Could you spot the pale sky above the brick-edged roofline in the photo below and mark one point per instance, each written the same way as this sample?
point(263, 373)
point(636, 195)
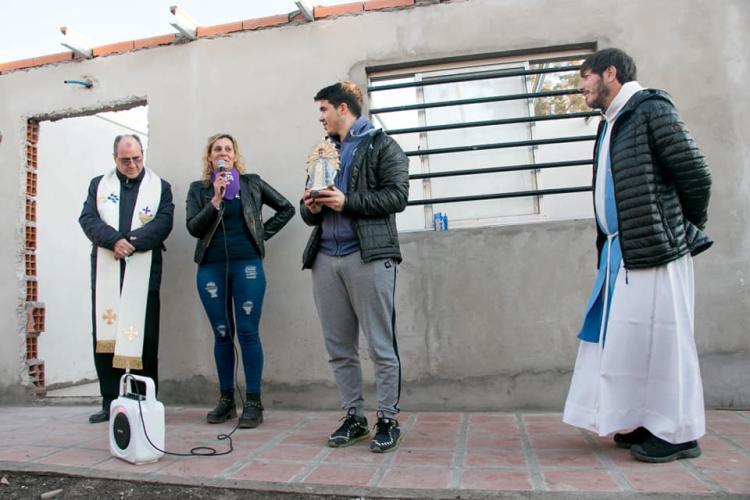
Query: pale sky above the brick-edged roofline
point(30, 28)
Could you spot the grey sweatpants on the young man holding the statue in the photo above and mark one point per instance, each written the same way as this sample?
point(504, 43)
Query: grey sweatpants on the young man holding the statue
point(351, 295)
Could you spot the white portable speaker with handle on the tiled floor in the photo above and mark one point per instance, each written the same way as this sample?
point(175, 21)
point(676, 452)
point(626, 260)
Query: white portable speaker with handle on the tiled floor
point(127, 440)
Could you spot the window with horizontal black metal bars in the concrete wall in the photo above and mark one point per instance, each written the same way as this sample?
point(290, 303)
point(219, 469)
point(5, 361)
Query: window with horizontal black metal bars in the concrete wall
point(490, 141)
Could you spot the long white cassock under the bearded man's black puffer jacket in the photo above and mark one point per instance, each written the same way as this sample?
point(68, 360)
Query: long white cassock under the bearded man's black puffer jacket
point(644, 370)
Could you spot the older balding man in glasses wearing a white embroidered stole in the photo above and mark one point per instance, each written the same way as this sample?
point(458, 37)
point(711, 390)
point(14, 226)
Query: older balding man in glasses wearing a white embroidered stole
point(127, 216)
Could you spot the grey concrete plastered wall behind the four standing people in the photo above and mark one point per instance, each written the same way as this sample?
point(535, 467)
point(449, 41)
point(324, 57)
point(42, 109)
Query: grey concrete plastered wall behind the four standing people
point(487, 316)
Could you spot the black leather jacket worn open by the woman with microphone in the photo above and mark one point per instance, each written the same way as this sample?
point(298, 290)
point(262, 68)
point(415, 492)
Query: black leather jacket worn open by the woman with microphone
point(202, 217)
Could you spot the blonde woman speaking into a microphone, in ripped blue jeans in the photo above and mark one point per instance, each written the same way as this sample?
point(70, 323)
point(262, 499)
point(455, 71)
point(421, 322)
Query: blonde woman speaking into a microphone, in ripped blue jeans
point(224, 213)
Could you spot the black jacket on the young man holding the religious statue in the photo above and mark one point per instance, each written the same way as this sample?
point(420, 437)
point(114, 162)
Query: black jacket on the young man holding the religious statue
point(378, 189)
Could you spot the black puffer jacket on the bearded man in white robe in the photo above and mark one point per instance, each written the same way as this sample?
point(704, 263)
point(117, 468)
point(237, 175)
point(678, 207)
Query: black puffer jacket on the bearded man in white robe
point(662, 183)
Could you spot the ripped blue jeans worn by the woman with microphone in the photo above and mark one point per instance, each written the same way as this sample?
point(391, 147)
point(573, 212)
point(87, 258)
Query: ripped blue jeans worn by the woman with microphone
point(235, 306)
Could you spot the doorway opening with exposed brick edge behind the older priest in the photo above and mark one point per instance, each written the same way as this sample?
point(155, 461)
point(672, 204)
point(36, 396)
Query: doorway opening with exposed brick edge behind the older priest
point(67, 153)
